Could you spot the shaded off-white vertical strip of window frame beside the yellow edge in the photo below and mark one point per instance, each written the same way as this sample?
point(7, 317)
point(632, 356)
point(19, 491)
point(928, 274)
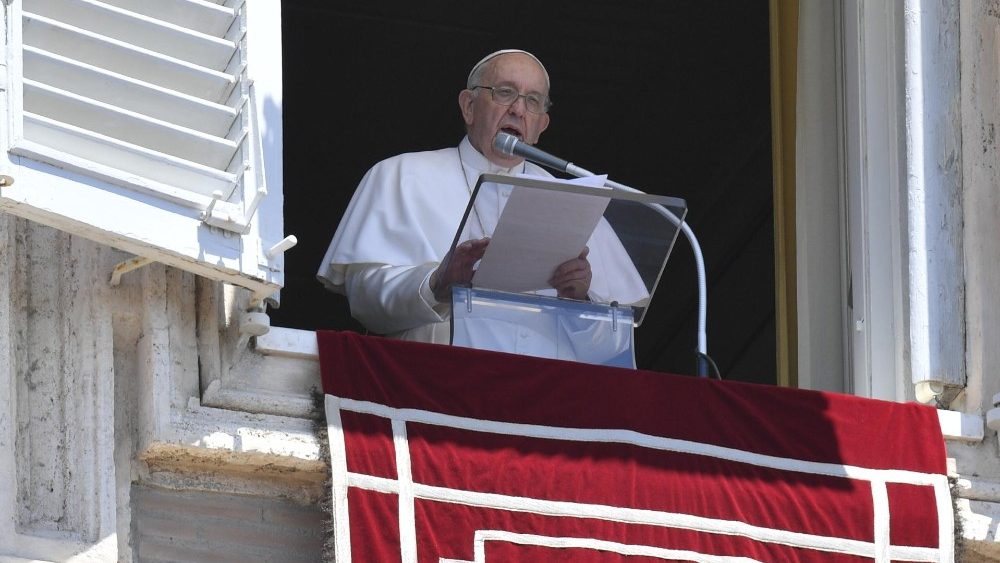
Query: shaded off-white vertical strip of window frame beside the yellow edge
point(821, 276)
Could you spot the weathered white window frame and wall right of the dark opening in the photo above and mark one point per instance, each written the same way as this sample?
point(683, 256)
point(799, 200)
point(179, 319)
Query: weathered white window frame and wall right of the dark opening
point(953, 316)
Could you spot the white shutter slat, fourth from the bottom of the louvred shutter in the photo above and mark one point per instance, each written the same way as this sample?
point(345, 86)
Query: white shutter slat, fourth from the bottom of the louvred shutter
point(122, 58)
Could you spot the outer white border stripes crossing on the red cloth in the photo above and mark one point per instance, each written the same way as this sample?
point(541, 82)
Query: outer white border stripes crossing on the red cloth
point(880, 549)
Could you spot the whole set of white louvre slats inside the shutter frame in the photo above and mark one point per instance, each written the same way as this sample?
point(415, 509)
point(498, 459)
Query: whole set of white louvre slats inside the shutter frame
point(148, 91)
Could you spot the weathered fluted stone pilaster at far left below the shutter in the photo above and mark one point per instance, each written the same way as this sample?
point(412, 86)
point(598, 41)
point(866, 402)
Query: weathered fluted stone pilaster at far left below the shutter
point(61, 395)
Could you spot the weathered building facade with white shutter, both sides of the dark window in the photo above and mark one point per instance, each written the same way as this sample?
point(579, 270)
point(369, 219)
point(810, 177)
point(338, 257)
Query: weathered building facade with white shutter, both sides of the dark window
point(150, 413)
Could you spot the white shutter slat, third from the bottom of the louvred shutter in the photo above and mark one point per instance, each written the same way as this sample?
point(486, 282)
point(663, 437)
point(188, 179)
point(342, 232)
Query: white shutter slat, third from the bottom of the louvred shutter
point(127, 93)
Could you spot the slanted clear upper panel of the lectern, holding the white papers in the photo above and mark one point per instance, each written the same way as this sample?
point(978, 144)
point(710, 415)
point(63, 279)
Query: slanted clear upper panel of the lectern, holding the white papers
point(535, 224)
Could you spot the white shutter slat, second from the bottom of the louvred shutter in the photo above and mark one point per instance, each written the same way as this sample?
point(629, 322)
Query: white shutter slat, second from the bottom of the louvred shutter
point(128, 126)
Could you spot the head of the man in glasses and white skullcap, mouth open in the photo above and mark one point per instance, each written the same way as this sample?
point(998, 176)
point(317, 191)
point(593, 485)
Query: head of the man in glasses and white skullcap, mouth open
point(484, 118)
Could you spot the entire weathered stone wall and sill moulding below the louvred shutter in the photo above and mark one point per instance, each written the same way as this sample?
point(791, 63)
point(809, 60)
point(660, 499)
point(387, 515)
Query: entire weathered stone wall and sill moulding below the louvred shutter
point(102, 389)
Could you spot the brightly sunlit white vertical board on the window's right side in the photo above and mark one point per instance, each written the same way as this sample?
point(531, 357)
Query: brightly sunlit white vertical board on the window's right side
point(933, 197)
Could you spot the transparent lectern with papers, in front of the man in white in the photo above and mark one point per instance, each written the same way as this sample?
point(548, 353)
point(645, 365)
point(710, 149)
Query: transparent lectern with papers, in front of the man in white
point(535, 224)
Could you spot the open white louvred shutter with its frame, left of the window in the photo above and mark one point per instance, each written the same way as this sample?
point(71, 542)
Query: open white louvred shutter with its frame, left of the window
point(142, 124)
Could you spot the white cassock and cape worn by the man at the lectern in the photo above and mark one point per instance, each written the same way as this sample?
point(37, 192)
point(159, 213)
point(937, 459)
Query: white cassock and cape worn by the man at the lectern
point(402, 221)
